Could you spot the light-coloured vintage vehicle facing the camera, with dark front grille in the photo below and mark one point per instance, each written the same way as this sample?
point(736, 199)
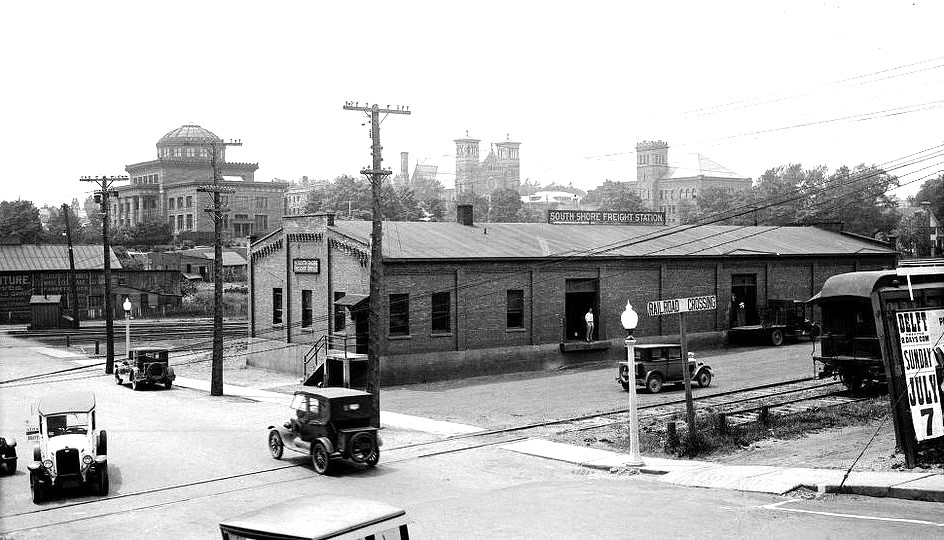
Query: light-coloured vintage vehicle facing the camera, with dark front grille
point(70, 450)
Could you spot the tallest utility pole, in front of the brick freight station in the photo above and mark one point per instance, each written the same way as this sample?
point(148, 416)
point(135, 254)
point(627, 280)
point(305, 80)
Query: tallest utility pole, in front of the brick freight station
point(377, 300)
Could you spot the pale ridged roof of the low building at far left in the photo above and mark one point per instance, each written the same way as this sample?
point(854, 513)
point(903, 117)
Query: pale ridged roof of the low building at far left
point(32, 258)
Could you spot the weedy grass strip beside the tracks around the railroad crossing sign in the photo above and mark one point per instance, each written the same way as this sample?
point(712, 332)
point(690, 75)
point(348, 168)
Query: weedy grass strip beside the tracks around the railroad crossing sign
point(714, 434)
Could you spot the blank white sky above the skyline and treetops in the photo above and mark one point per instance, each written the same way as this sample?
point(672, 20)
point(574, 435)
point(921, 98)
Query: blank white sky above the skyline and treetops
point(89, 87)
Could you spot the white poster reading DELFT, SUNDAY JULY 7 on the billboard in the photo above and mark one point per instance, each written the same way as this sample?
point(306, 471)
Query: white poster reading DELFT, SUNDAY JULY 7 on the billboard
point(921, 340)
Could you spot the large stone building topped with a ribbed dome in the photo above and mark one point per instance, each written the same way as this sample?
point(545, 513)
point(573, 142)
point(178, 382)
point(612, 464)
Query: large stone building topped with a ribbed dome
point(166, 187)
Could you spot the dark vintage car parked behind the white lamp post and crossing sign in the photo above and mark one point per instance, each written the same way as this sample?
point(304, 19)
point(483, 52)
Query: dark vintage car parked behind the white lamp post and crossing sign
point(661, 363)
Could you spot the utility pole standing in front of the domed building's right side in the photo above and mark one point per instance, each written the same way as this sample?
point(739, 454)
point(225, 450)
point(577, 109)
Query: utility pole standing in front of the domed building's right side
point(217, 211)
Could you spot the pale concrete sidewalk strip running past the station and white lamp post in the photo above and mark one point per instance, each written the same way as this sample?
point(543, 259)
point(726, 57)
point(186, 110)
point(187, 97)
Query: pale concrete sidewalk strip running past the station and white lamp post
point(920, 486)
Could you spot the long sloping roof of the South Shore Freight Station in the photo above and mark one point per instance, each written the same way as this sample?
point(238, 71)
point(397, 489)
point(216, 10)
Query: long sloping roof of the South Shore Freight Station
point(450, 241)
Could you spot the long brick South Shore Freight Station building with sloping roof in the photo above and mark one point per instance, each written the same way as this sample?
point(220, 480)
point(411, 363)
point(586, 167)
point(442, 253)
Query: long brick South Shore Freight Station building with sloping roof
point(467, 299)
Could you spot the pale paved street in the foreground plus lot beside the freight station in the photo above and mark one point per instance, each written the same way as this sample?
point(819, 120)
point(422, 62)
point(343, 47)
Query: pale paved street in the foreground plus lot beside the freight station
point(181, 461)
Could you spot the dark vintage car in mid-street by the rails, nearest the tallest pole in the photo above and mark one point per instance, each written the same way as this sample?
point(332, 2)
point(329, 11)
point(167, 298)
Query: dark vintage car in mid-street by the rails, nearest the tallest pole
point(329, 423)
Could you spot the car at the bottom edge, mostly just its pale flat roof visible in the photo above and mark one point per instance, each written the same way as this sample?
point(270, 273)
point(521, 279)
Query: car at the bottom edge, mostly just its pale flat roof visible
point(320, 517)
